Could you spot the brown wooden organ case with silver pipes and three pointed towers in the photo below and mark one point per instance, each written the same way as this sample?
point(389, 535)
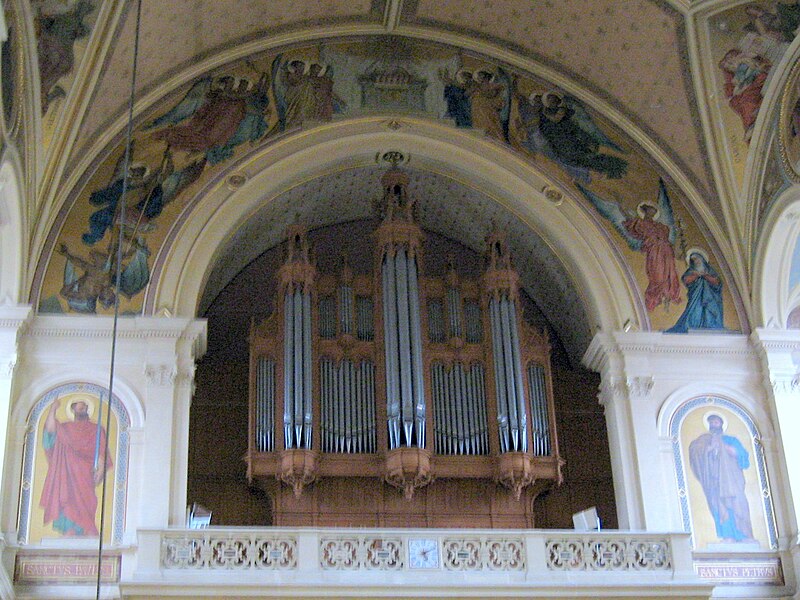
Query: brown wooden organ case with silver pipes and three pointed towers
point(397, 399)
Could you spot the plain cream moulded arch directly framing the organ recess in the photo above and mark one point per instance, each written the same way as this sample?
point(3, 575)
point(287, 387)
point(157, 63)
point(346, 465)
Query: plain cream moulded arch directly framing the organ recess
point(587, 253)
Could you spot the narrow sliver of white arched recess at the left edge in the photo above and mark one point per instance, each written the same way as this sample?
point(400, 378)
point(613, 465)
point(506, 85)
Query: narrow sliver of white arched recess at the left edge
point(12, 229)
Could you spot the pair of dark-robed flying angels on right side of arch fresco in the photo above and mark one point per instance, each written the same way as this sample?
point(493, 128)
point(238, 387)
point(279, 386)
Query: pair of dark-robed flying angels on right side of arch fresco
point(572, 136)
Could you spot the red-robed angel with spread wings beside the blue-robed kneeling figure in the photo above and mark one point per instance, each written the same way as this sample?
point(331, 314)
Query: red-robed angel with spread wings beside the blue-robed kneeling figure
point(653, 232)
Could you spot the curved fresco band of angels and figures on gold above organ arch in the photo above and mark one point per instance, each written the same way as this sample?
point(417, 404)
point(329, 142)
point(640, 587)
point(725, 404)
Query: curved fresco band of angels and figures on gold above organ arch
point(204, 127)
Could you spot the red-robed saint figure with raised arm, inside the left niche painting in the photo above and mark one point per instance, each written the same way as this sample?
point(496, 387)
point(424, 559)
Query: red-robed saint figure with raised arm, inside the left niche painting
point(74, 469)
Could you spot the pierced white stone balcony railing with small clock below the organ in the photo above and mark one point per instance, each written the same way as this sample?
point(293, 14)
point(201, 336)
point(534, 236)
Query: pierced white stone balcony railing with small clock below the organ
point(456, 561)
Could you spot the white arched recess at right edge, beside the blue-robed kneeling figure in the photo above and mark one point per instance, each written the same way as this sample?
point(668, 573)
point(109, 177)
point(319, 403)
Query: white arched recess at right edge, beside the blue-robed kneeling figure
point(773, 297)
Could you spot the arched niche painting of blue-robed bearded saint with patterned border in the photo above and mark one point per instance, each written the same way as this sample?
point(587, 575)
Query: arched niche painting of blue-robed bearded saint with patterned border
point(724, 491)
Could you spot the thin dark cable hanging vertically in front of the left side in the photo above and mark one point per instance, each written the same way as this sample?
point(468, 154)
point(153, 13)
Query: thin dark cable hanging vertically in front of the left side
point(117, 282)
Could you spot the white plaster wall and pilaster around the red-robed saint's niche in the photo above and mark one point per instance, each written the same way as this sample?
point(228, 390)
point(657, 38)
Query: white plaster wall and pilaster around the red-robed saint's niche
point(153, 379)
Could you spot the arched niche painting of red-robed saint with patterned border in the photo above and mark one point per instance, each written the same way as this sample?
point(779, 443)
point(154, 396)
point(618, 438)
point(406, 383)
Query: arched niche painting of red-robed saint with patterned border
point(62, 491)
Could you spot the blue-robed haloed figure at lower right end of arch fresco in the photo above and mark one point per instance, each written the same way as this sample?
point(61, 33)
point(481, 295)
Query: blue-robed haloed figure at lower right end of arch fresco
point(704, 295)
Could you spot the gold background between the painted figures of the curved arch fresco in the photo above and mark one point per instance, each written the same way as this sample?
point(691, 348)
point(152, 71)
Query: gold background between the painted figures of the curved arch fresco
point(423, 60)
